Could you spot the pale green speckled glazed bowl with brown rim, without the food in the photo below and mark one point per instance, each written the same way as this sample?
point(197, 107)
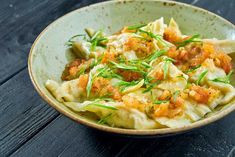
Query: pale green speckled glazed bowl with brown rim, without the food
point(49, 54)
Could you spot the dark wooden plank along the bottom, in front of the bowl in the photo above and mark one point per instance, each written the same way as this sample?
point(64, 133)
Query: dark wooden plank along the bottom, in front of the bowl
point(66, 138)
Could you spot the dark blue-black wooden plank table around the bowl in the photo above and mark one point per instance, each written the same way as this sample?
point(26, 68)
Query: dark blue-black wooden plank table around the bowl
point(30, 127)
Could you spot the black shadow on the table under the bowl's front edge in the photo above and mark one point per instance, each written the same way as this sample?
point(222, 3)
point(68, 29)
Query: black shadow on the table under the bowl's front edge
point(206, 141)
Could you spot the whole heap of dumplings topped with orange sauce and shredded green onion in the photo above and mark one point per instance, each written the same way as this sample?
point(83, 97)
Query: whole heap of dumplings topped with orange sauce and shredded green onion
point(132, 82)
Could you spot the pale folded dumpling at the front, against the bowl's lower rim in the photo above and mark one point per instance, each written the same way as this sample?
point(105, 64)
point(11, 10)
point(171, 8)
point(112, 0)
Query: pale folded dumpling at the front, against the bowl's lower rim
point(123, 117)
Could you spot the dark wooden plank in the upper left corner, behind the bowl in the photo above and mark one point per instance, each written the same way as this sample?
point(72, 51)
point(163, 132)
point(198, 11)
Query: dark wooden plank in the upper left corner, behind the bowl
point(20, 23)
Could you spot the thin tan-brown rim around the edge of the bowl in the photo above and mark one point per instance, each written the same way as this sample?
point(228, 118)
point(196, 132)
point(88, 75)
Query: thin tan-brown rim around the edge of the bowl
point(164, 131)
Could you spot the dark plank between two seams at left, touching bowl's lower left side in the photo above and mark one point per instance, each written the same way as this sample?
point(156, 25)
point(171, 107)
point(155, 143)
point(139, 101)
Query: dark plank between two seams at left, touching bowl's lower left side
point(22, 113)
